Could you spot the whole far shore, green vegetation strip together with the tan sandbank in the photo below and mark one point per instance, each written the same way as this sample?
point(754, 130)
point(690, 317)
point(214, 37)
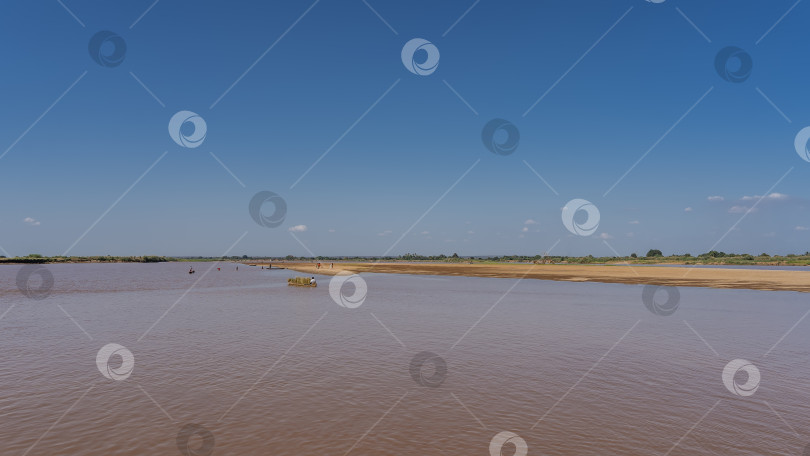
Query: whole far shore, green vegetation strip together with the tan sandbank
point(665, 273)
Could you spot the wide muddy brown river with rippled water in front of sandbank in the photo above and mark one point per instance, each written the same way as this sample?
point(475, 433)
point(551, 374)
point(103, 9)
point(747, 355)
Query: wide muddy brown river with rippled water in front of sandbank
point(227, 362)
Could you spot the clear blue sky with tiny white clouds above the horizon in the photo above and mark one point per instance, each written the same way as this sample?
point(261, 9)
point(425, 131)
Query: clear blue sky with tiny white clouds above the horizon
point(617, 78)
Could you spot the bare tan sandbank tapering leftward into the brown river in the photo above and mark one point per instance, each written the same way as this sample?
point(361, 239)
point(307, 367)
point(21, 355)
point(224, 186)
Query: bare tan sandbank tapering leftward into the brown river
point(748, 279)
